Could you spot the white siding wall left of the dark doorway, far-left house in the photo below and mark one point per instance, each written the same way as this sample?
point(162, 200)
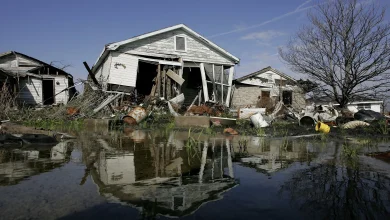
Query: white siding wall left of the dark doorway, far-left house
point(30, 90)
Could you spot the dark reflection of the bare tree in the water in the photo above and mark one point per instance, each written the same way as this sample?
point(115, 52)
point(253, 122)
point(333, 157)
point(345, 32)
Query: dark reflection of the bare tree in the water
point(342, 188)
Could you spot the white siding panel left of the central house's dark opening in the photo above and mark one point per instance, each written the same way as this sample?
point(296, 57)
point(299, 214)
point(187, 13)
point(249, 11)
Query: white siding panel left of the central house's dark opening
point(125, 74)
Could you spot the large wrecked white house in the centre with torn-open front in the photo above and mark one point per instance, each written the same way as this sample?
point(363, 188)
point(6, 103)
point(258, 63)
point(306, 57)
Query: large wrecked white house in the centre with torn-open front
point(141, 61)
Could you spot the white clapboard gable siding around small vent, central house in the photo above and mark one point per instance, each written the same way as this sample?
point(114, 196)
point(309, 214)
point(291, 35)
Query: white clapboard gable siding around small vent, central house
point(196, 51)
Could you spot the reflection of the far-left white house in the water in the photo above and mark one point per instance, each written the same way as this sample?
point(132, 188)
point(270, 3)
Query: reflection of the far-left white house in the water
point(17, 164)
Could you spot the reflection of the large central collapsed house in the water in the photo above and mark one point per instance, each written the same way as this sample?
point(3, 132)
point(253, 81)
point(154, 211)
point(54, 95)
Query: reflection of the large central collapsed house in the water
point(176, 179)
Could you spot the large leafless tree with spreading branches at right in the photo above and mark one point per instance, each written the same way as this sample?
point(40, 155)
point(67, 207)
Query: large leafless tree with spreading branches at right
point(345, 49)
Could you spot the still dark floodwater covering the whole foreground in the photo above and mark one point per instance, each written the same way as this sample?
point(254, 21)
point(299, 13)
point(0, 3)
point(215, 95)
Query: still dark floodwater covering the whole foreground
point(168, 174)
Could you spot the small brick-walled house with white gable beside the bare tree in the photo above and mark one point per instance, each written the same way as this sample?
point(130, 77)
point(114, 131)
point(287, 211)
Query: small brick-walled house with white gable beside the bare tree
point(269, 83)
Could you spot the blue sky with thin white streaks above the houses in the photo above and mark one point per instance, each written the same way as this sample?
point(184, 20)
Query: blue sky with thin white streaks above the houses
point(70, 32)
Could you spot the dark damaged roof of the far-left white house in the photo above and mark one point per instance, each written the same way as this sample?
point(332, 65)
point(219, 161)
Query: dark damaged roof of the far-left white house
point(14, 71)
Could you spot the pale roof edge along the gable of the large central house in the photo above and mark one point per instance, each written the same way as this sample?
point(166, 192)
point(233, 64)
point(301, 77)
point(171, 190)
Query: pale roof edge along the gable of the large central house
point(116, 45)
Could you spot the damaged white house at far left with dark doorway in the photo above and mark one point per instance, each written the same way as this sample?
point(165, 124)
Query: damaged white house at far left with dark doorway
point(34, 82)
